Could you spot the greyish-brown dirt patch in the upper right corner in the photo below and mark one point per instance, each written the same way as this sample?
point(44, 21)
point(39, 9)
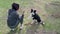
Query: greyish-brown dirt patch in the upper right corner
point(53, 8)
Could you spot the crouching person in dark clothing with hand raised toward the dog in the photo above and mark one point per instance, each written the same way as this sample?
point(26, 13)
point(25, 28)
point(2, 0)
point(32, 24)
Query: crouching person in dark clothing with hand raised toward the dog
point(14, 18)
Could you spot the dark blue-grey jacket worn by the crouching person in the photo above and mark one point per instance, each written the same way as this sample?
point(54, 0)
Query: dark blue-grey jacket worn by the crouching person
point(13, 18)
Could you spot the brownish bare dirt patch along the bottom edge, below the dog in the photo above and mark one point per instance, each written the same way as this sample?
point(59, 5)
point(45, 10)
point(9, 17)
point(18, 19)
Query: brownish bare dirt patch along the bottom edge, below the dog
point(34, 29)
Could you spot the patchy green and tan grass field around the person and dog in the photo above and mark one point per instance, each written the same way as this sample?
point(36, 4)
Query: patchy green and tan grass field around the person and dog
point(45, 8)
